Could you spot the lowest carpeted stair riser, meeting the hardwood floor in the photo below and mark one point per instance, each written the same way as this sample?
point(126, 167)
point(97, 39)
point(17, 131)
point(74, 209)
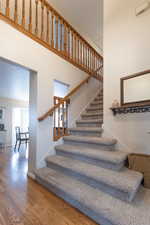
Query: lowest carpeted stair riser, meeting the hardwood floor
point(75, 203)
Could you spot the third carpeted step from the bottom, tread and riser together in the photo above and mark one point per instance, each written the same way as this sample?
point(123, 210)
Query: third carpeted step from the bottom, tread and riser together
point(114, 160)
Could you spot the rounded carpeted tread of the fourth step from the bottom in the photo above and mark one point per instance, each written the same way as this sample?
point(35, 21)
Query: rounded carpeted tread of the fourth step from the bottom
point(91, 140)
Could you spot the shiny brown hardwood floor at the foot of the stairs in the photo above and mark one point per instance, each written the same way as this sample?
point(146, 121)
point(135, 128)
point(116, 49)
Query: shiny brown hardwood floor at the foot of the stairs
point(24, 202)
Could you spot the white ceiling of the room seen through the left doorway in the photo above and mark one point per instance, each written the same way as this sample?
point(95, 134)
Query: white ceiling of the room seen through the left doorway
point(14, 81)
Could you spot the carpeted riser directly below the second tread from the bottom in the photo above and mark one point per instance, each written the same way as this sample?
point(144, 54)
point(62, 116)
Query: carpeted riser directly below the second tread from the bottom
point(90, 181)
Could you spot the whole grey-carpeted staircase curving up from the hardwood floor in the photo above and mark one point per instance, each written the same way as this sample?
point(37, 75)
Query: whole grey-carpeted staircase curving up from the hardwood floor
point(91, 175)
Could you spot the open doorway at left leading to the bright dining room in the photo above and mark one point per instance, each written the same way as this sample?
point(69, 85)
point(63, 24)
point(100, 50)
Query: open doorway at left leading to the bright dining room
point(18, 104)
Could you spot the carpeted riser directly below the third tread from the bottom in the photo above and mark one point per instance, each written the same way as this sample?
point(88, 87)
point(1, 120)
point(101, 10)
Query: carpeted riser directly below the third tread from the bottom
point(96, 162)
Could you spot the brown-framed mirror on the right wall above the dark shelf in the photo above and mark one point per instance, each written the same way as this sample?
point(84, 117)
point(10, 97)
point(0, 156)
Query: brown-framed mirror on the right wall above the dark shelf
point(135, 89)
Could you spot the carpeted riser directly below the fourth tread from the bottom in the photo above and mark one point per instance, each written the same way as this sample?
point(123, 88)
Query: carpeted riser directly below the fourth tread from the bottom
point(94, 146)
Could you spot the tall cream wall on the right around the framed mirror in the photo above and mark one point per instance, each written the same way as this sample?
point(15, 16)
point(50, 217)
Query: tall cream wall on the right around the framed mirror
point(126, 51)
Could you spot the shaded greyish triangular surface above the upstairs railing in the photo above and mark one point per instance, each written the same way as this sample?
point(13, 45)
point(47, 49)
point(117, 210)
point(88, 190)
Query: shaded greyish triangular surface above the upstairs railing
point(86, 16)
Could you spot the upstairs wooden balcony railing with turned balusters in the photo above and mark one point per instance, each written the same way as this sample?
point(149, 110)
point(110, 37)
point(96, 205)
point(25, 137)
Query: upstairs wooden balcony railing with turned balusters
point(41, 22)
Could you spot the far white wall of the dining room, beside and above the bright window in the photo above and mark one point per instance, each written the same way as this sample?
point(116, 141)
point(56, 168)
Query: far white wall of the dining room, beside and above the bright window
point(8, 105)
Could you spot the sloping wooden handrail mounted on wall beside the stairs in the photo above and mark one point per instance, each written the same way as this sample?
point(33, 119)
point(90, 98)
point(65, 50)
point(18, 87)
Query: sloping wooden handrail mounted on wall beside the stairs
point(50, 111)
